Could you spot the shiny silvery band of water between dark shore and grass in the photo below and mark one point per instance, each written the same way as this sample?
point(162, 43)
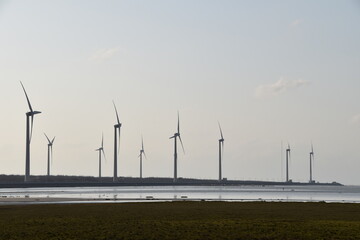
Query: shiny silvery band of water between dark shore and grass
point(222, 193)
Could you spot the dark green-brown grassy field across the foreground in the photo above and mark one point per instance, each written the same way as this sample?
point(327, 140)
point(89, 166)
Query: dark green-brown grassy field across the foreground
point(181, 220)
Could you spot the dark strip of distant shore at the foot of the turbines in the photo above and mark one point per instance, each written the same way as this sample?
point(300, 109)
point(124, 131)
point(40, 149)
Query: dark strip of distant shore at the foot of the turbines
point(17, 181)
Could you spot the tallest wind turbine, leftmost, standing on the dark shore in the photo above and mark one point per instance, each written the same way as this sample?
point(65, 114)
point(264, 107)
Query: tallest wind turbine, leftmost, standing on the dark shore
point(29, 126)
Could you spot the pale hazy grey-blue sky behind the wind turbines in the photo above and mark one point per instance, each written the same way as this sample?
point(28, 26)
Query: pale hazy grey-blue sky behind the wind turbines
point(268, 71)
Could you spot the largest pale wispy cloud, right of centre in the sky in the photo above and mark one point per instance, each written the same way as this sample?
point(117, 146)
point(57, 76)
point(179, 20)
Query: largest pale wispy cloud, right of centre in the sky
point(279, 87)
